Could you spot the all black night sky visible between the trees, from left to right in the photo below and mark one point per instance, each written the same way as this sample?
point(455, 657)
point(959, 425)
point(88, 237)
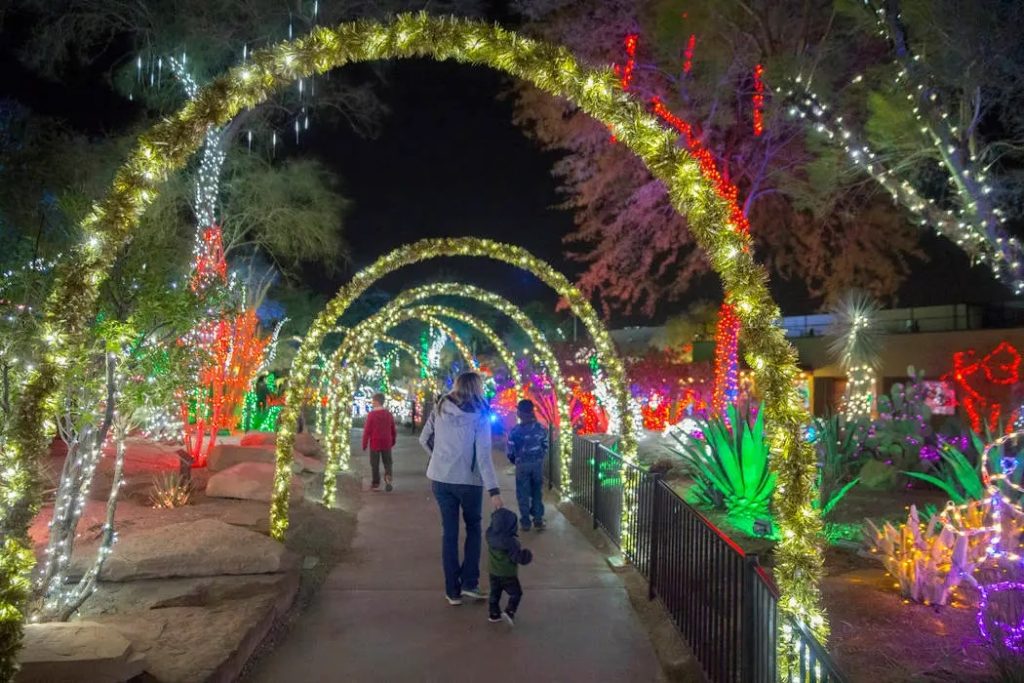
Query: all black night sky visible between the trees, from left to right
point(450, 162)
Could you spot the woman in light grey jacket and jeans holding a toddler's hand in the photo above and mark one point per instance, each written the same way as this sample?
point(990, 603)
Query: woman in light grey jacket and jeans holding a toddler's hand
point(458, 438)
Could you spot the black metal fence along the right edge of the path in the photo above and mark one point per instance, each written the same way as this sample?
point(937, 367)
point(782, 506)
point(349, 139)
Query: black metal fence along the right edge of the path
point(722, 603)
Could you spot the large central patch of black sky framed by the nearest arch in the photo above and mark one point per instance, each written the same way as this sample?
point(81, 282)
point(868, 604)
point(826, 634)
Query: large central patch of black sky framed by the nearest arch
point(449, 162)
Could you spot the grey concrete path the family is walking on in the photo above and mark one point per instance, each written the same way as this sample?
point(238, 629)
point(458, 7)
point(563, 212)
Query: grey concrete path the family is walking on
point(382, 617)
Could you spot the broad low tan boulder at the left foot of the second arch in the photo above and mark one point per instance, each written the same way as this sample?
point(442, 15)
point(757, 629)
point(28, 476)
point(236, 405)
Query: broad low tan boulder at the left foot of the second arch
point(201, 548)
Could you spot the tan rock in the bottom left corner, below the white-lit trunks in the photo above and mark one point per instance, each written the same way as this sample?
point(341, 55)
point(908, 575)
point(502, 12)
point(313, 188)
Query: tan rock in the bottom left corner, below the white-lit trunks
point(67, 653)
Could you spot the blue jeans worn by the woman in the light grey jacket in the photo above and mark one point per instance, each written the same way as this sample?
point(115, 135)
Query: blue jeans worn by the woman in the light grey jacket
point(452, 497)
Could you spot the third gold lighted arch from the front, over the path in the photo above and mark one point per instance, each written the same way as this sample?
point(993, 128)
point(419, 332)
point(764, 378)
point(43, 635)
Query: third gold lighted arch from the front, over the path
point(378, 324)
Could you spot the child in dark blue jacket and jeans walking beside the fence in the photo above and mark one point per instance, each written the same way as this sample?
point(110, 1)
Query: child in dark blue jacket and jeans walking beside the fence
point(528, 445)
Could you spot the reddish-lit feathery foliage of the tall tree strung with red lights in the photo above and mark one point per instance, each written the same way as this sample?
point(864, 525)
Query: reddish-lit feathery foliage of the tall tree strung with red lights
point(708, 66)
